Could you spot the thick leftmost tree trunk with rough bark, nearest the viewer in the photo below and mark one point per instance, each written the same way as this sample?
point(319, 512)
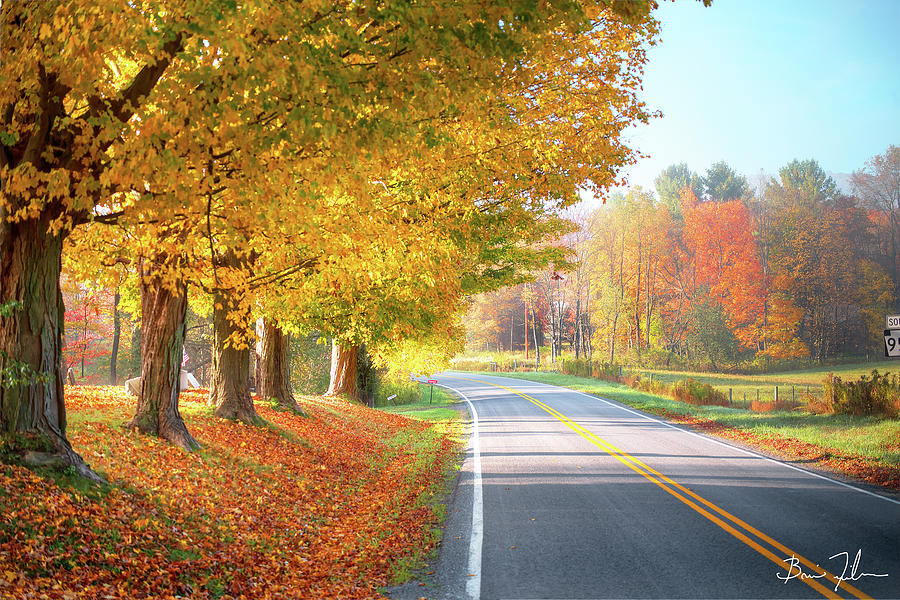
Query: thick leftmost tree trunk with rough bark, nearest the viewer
point(33, 406)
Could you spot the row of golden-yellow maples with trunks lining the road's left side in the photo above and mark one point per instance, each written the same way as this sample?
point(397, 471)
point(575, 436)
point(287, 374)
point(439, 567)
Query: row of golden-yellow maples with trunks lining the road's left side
point(354, 170)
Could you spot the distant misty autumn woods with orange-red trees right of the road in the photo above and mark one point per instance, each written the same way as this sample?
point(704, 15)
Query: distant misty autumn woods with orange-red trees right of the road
point(711, 271)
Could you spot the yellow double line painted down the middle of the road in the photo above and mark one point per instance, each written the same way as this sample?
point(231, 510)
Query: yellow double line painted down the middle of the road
point(730, 523)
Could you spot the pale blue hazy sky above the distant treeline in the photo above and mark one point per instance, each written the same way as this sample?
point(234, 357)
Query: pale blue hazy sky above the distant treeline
point(758, 83)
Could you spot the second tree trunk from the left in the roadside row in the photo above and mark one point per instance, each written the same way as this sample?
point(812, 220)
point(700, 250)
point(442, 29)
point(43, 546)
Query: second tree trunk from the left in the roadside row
point(162, 343)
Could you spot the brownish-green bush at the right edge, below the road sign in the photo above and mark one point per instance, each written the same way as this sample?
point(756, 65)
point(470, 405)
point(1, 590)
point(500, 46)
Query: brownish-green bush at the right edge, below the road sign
point(879, 395)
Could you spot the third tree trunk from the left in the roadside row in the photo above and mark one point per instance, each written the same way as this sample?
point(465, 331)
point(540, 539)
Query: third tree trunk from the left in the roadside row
point(229, 383)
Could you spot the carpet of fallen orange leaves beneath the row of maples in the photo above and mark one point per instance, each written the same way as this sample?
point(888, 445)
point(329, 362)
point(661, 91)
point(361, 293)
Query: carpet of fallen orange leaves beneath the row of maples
point(317, 507)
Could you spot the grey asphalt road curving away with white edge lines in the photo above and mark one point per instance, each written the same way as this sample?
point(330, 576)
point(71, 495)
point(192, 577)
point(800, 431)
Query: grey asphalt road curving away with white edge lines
point(563, 495)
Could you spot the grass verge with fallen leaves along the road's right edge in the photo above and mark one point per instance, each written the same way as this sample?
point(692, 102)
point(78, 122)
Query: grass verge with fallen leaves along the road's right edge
point(851, 444)
